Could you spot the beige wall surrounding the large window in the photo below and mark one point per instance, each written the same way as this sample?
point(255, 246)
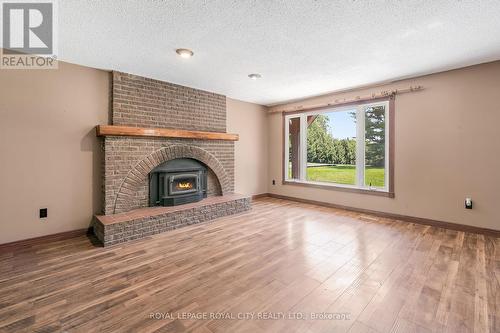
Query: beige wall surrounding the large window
point(446, 147)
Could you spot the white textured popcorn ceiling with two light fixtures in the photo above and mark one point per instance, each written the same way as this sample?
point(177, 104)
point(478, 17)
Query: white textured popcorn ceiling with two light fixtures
point(301, 48)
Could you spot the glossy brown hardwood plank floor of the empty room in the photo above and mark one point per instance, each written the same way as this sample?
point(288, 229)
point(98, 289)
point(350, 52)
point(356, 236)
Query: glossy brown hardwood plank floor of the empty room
point(279, 262)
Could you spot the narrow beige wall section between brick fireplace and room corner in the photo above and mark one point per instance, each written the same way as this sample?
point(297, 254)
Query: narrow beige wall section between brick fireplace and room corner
point(250, 122)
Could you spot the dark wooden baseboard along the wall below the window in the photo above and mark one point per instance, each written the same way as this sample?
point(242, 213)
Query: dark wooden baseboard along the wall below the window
point(412, 219)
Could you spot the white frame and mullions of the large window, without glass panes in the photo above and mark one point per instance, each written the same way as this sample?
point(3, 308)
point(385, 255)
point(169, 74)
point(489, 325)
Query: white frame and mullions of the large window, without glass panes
point(360, 146)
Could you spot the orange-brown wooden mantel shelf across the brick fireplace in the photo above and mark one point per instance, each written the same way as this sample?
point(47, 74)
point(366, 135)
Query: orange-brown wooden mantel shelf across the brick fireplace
point(113, 130)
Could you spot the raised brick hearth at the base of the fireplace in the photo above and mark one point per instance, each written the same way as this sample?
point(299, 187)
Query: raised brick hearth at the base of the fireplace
point(143, 222)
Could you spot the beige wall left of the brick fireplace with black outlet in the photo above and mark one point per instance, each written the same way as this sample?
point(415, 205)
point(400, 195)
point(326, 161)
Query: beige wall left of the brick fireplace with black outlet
point(50, 156)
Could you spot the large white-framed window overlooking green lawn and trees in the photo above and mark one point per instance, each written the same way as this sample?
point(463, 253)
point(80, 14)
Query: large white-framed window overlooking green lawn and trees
point(345, 147)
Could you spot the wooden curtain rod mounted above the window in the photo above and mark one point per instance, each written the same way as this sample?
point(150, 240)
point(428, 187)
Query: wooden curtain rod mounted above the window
point(343, 101)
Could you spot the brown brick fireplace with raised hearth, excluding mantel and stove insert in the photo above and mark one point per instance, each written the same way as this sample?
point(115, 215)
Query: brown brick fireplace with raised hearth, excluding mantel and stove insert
point(131, 161)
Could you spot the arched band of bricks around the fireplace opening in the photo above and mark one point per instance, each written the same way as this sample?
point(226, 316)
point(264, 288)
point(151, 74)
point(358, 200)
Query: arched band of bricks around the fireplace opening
point(135, 177)
